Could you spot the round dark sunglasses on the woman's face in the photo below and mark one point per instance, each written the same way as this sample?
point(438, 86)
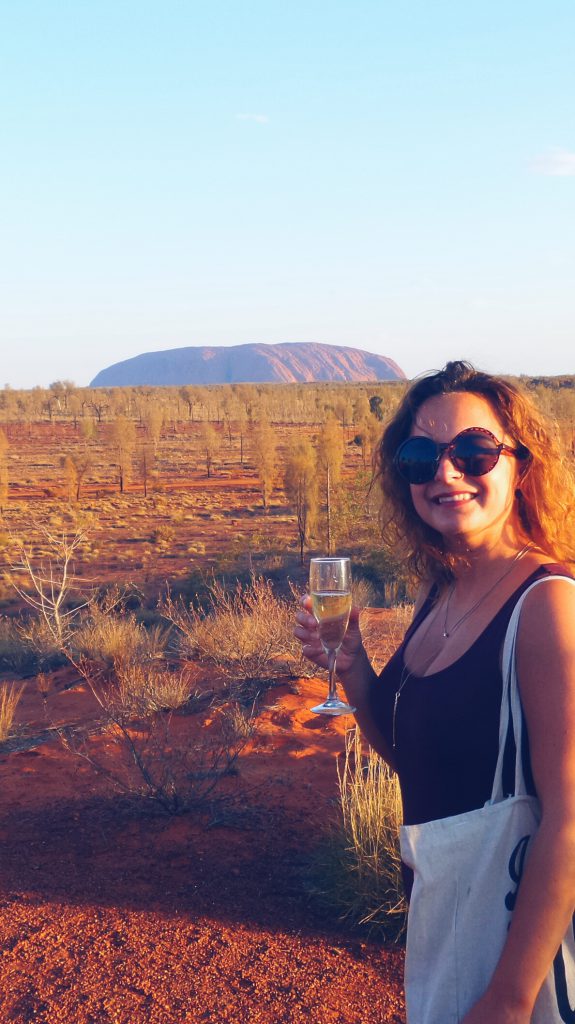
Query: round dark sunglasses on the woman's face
point(474, 452)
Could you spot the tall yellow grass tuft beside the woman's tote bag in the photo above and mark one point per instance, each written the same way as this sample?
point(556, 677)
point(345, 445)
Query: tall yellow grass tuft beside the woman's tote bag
point(364, 874)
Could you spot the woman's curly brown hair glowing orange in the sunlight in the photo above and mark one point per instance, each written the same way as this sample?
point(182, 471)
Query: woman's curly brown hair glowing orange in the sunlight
point(546, 496)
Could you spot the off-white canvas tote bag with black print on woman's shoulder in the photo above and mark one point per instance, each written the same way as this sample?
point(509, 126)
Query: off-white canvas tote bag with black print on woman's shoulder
point(467, 874)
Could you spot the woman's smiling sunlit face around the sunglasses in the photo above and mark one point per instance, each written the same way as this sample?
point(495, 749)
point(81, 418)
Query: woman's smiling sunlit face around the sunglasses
point(460, 507)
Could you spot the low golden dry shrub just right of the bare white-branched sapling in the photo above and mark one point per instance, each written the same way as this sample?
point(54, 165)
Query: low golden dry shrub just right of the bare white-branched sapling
point(109, 636)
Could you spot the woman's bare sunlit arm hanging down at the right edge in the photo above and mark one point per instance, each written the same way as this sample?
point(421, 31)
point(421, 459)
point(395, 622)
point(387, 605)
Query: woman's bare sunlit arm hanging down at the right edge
point(547, 895)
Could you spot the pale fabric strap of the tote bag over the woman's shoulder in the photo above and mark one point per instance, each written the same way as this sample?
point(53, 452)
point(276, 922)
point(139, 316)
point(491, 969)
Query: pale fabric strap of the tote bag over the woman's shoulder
point(511, 702)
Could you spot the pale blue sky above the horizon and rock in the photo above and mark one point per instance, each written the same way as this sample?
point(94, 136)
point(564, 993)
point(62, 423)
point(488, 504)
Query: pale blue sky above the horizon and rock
point(395, 177)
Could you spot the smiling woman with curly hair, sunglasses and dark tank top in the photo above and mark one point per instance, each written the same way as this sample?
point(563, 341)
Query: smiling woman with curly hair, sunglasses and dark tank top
point(481, 503)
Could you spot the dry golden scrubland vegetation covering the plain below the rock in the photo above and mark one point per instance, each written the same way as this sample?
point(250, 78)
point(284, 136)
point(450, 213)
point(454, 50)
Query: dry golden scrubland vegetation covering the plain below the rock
point(155, 543)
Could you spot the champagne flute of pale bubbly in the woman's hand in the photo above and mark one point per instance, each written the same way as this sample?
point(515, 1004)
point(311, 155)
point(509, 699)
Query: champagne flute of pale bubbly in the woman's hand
point(330, 585)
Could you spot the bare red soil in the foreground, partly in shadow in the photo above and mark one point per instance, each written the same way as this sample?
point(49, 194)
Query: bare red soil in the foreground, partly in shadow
point(113, 915)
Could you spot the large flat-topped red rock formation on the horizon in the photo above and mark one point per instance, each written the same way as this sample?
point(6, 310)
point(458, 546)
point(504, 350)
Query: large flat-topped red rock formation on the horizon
point(286, 363)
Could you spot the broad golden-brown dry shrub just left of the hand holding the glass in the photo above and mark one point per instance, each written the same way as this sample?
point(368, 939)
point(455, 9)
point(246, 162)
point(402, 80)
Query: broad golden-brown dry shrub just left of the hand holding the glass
point(247, 633)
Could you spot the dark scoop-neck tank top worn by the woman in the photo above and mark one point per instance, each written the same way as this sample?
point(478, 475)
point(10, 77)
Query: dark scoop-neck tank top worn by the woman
point(448, 724)
